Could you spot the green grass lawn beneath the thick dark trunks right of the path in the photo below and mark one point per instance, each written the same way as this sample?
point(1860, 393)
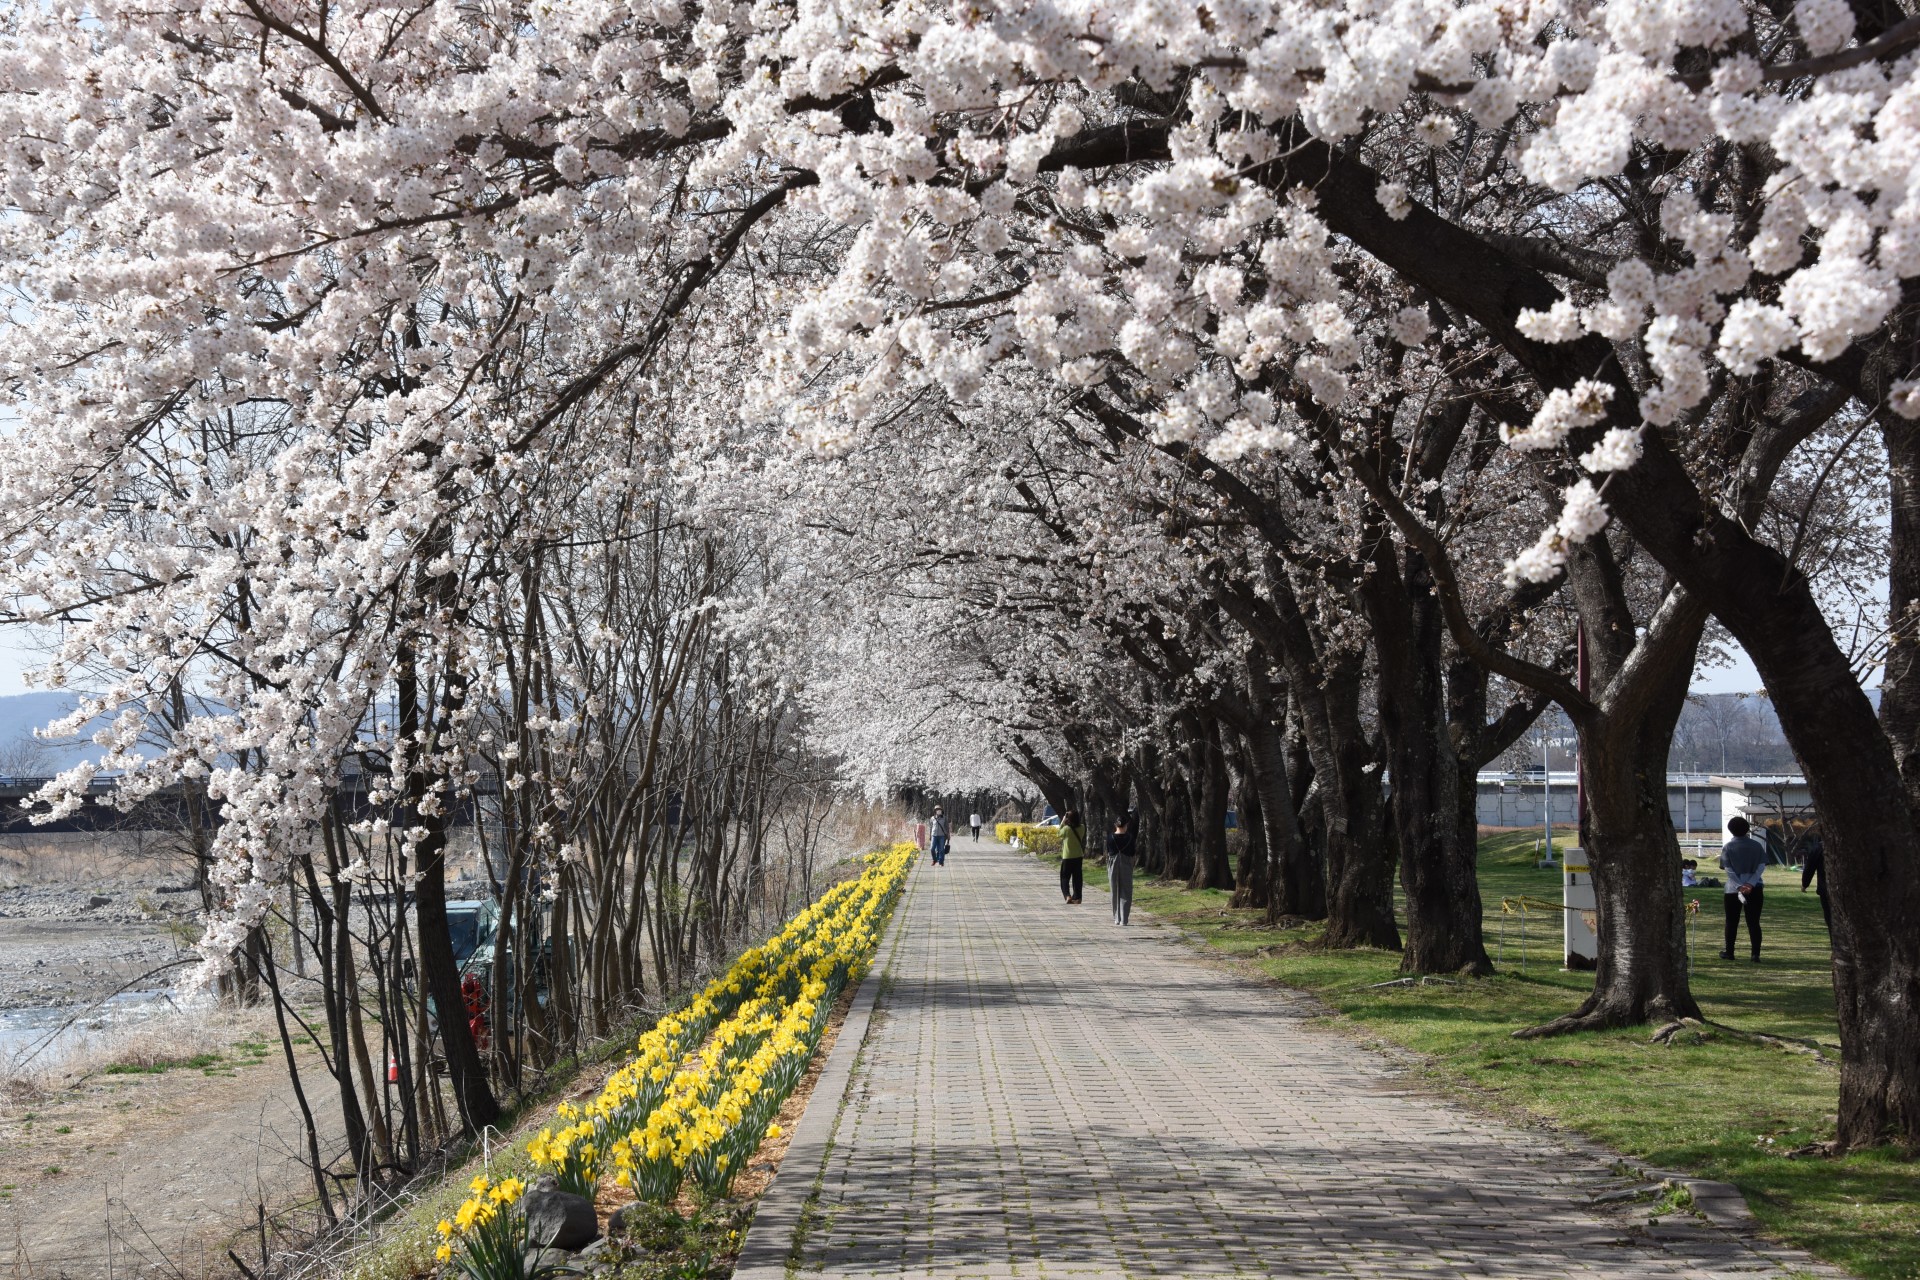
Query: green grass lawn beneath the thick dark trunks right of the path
point(1712, 1104)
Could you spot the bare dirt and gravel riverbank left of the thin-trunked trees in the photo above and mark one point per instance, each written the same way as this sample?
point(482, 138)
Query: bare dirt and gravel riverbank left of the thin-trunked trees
point(108, 1172)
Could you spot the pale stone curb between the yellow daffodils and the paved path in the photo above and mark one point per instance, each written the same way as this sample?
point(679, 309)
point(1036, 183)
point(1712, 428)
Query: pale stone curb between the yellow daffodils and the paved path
point(763, 1256)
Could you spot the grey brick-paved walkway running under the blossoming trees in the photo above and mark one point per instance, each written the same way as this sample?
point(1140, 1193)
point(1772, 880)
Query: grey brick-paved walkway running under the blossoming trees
point(1045, 1095)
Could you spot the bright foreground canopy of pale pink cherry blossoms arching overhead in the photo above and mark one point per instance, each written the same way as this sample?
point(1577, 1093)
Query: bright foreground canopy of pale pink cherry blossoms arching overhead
point(308, 308)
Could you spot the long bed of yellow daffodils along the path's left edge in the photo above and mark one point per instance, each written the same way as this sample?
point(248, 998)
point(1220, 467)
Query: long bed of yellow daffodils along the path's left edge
point(706, 1083)
